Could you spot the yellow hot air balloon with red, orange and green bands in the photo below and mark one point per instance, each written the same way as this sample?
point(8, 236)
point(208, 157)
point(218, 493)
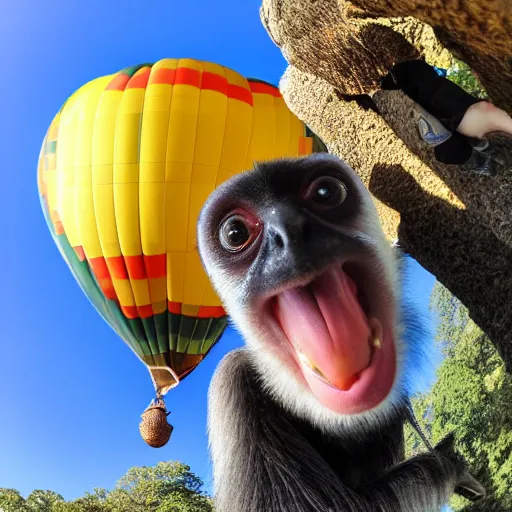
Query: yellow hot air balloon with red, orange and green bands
point(124, 170)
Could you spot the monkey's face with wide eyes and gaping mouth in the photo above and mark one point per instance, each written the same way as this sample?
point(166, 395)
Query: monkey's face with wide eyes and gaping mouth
point(295, 250)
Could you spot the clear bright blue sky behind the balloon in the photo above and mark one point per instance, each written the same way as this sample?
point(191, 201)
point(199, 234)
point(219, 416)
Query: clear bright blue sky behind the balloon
point(71, 392)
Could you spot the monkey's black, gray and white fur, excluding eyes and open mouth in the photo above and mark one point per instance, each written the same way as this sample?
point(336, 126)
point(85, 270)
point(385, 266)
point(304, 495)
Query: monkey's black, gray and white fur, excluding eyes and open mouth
point(274, 447)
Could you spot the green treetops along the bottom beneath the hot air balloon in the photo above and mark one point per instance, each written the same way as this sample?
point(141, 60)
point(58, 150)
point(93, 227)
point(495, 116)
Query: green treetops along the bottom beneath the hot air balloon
point(166, 487)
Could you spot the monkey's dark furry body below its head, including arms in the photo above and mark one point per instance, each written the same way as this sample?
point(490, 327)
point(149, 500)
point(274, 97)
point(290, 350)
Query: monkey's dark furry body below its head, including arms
point(268, 461)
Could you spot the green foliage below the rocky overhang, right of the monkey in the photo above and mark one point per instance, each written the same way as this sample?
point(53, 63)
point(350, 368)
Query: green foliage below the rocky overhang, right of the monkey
point(472, 397)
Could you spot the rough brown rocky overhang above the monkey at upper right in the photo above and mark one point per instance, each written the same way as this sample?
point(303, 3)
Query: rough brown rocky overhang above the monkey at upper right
point(457, 225)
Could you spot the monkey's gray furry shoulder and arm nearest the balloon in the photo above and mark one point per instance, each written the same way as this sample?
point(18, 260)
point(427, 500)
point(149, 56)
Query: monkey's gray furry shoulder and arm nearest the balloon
point(261, 462)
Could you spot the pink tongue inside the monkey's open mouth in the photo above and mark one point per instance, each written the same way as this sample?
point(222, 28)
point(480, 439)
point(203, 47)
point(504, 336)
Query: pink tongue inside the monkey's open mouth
point(326, 322)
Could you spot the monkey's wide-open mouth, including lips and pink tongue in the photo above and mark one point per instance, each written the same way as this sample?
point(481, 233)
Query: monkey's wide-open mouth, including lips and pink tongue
point(343, 349)
